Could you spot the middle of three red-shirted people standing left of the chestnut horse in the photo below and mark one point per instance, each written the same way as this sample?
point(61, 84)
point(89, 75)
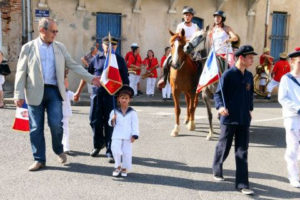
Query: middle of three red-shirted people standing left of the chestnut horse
point(151, 63)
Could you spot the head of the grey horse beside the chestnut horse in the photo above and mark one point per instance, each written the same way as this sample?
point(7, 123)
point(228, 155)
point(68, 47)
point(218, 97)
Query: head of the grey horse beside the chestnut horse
point(198, 38)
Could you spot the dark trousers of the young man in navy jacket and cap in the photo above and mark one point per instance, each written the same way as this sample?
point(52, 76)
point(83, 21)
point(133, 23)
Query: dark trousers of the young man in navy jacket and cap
point(241, 134)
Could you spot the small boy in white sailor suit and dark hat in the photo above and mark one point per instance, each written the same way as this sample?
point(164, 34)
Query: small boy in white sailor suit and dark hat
point(124, 119)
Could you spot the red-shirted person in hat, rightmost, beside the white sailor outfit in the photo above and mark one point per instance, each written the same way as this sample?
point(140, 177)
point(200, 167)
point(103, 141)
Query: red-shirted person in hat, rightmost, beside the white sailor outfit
point(281, 67)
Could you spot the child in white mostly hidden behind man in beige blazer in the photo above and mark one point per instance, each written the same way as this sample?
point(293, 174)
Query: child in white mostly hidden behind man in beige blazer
point(67, 113)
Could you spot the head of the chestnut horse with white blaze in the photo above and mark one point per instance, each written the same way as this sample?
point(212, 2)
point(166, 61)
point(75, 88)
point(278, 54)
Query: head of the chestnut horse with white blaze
point(177, 42)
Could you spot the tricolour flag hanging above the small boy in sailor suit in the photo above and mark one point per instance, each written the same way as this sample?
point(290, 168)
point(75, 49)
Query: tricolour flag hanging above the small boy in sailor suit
point(110, 78)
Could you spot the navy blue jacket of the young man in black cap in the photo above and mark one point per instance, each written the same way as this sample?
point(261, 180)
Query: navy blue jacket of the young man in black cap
point(238, 95)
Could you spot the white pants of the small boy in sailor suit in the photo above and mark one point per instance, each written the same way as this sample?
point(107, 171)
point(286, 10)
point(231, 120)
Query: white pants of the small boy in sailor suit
point(122, 148)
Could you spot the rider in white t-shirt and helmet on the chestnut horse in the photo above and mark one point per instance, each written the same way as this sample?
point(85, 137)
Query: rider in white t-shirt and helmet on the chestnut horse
point(190, 28)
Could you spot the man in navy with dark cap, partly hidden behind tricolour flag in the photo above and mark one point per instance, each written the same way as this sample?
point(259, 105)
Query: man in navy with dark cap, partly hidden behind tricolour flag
point(101, 101)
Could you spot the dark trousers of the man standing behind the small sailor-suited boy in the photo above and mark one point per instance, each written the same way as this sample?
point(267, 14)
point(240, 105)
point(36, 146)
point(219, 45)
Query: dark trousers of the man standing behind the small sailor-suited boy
point(101, 106)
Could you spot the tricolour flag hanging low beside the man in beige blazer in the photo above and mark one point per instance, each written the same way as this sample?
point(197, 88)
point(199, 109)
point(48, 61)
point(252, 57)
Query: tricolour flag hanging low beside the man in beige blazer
point(22, 120)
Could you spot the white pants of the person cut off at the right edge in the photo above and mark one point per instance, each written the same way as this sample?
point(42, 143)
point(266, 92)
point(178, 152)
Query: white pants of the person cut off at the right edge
point(292, 148)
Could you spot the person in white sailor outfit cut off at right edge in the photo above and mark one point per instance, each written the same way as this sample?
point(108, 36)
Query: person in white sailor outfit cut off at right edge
point(289, 98)
